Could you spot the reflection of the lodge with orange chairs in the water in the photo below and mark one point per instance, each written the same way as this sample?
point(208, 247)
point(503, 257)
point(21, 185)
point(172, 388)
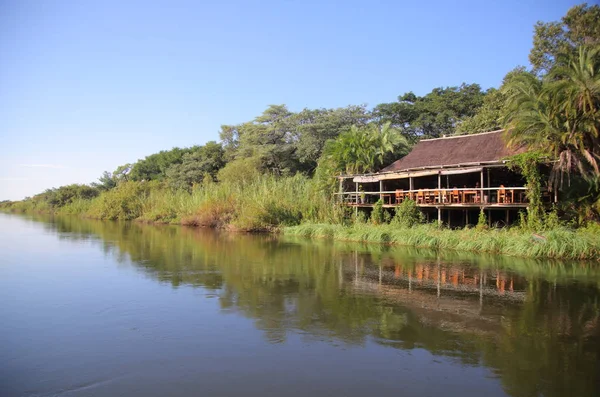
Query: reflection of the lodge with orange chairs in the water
point(453, 297)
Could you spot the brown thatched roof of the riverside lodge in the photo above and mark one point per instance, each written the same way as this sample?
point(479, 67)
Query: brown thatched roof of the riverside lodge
point(487, 147)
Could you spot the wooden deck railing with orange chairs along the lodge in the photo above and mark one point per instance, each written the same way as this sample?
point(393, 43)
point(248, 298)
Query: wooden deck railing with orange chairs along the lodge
point(483, 196)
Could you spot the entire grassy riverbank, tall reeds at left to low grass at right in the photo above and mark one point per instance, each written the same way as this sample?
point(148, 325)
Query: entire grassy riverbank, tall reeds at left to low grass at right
point(297, 206)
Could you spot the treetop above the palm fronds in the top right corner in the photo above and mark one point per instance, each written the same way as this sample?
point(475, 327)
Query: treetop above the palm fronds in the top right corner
point(581, 26)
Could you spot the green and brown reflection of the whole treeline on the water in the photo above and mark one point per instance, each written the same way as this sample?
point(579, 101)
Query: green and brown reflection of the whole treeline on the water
point(543, 343)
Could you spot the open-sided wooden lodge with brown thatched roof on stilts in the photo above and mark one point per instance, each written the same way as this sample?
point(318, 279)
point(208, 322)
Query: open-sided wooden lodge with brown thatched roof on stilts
point(451, 179)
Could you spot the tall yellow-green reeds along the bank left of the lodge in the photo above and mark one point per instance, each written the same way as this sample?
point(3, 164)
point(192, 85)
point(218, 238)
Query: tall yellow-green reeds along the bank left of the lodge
point(263, 203)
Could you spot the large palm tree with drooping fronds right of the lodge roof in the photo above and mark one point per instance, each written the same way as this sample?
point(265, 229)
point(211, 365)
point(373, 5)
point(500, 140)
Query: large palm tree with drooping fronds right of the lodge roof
point(559, 115)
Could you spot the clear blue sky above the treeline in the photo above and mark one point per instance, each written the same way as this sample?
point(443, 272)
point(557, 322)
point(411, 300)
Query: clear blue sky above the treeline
point(86, 86)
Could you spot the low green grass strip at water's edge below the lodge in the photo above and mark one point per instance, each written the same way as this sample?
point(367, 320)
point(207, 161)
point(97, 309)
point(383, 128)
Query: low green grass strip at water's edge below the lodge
point(561, 243)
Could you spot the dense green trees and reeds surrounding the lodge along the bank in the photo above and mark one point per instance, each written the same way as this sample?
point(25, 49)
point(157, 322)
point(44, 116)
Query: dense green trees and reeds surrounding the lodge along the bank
point(278, 168)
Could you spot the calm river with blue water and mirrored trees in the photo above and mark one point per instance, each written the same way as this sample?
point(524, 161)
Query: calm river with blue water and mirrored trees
point(91, 308)
